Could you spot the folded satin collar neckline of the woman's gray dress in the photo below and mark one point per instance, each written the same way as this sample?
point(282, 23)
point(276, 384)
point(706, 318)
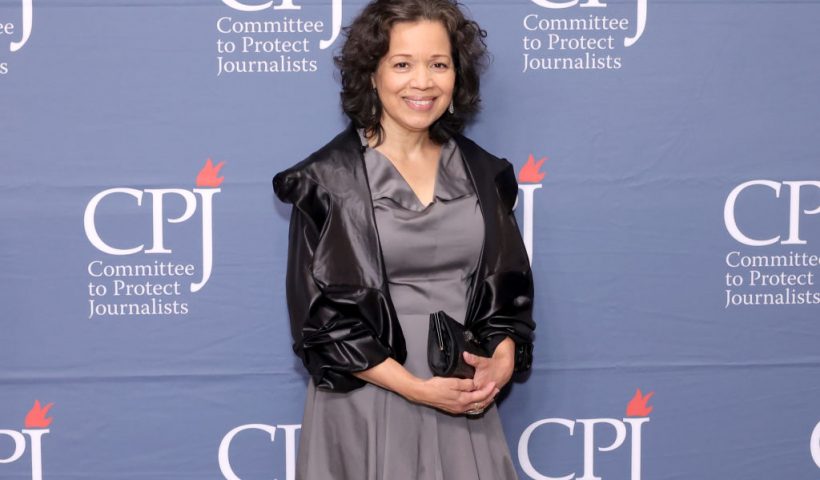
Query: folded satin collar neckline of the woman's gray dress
point(387, 183)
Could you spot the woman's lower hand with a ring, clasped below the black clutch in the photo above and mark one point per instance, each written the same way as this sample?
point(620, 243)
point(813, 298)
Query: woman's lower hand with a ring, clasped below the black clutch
point(455, 395)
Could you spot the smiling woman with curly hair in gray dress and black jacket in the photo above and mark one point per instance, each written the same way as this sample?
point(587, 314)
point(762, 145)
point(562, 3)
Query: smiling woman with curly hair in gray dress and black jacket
point(397, 217)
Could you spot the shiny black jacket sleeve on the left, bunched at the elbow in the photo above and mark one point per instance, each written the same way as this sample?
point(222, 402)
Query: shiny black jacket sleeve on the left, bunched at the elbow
point(329, 333)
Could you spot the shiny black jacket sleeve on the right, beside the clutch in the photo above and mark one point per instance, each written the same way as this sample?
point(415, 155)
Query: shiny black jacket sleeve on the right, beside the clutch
point(507, 295)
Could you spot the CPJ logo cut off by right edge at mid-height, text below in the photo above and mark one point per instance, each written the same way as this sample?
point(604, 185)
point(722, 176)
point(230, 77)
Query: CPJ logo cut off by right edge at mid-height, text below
point(771, 267)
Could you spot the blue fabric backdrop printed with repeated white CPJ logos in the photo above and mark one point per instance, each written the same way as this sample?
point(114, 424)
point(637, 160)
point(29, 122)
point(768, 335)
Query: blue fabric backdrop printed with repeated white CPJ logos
point(667, 154)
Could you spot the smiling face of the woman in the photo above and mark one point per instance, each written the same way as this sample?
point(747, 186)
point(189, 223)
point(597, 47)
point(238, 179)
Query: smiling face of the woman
point(415, 79)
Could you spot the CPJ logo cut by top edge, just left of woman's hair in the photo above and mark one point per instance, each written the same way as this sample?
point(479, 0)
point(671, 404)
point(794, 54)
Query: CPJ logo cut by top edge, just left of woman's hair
point(253, 41)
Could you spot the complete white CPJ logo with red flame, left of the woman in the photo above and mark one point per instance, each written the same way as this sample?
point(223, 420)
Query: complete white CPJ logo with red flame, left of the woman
point(155, 287)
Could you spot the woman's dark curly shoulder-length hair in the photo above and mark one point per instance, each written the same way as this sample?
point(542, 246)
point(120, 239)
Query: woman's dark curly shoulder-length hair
point(367, 40)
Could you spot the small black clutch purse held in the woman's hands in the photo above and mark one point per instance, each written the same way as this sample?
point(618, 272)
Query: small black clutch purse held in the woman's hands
point(447, 340)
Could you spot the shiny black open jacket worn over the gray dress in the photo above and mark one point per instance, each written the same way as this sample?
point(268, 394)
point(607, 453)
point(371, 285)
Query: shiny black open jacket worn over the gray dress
point(342, 318)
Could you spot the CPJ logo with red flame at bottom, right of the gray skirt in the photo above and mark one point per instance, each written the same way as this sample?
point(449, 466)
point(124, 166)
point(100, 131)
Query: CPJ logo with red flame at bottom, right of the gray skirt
point(637, 414)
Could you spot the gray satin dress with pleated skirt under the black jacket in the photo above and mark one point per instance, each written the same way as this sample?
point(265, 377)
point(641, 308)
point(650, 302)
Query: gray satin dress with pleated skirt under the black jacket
point(430, 254)
